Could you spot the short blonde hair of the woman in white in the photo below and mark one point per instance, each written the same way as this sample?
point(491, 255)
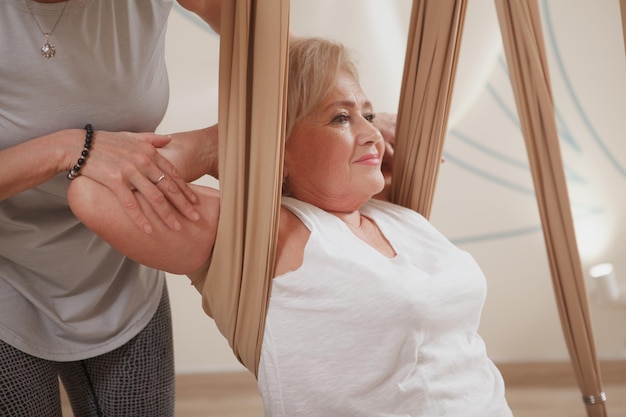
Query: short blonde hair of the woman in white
point(314, 64)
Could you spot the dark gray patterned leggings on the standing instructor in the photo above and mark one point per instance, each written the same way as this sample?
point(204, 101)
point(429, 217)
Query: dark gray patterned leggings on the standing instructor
point(137, 379)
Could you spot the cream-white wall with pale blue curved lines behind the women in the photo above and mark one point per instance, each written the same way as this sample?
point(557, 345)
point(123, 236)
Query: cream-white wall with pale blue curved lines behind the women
point(484, 199)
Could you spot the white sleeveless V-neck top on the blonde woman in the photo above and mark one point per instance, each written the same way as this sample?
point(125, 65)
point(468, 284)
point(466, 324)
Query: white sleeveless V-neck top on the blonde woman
point(354, 333)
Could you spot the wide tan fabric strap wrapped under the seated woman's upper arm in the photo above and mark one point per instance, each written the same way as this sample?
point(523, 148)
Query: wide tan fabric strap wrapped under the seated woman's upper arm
point(252, 90)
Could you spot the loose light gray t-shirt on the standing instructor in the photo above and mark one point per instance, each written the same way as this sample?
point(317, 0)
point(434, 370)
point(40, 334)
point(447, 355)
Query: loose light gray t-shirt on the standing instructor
point(64, 293)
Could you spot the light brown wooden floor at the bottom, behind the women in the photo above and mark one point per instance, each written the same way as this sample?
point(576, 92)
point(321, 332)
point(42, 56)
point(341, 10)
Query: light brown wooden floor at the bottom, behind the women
point(533, 390)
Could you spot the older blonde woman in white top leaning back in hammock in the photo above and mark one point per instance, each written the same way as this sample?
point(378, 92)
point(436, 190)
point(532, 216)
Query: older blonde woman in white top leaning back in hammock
point(372, 311)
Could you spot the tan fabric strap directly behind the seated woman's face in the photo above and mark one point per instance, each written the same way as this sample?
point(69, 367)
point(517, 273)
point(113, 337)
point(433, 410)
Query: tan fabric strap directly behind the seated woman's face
point(430, 65)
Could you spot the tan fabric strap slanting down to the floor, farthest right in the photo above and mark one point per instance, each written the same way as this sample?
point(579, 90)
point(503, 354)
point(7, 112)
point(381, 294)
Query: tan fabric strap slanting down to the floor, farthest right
point(520, 25)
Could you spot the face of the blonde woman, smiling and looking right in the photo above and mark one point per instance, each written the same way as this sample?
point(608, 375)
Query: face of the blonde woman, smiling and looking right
point(333, 156)
